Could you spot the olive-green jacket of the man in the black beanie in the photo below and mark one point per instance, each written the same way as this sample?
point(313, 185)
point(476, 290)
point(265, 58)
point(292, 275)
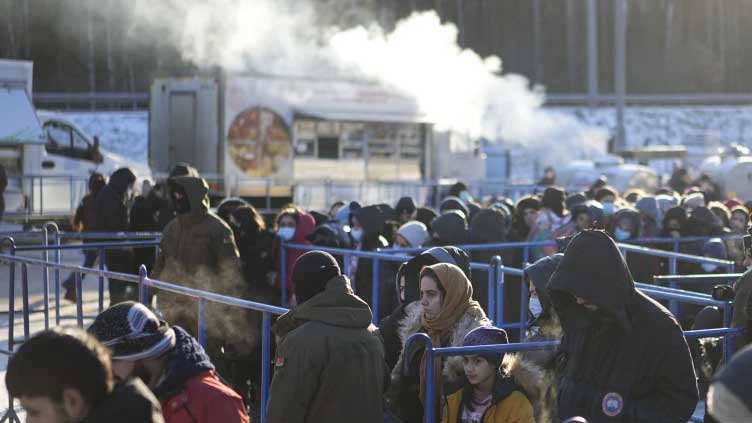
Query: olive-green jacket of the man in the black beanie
point(329, 365)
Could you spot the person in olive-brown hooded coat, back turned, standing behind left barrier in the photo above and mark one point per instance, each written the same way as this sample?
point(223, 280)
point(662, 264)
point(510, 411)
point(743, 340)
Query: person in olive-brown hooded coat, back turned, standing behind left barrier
point(198, 251)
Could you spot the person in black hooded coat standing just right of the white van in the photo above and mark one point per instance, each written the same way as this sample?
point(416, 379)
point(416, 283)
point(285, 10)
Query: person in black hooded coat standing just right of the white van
point(112, 216)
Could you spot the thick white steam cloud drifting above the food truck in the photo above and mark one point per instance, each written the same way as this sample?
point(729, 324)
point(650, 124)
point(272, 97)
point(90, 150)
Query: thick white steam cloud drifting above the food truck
point(457, 89)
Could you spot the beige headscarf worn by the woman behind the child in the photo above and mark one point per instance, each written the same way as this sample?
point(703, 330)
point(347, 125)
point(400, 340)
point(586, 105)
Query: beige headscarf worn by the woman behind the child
point(457, 299)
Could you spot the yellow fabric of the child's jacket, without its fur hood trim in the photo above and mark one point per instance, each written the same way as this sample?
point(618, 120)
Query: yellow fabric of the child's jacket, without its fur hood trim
point(515, 408)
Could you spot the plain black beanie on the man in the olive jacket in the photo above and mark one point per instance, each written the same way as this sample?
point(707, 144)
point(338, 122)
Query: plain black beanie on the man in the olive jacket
point(311, 272)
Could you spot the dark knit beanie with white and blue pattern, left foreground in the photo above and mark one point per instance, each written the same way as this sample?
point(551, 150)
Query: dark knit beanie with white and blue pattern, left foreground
point(133, 332)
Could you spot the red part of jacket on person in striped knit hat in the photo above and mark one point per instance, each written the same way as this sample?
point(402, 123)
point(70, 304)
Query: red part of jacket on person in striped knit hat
point(205, 400)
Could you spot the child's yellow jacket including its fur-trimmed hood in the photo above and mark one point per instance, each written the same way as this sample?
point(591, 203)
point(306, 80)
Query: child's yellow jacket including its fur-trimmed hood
point(509, 398)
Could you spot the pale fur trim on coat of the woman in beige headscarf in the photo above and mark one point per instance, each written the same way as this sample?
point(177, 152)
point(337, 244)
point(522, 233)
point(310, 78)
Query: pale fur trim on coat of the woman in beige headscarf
point(411, 324)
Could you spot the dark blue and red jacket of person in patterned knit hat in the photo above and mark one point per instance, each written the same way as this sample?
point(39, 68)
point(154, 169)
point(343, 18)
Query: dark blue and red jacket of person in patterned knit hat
point(190, 391)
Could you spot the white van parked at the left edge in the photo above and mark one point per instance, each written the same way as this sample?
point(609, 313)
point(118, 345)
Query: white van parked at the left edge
point(47, 158)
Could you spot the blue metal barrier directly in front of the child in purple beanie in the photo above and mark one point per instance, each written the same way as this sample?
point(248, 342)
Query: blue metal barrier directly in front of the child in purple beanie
point(432, 352)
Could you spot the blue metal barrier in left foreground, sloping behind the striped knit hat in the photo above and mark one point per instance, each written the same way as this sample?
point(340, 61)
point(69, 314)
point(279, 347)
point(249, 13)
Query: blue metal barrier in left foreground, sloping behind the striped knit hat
point(144, 283)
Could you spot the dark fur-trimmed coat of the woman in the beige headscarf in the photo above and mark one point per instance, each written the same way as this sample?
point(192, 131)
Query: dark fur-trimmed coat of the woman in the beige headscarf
point(403, 395)
